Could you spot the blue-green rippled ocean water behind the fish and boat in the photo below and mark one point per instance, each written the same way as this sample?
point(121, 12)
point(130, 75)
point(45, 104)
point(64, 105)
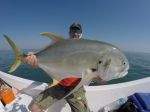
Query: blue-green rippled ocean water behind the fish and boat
point(139, 67)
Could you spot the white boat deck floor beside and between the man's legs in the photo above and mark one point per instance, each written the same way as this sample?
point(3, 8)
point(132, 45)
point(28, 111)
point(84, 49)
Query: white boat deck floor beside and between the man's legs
point(22, 101)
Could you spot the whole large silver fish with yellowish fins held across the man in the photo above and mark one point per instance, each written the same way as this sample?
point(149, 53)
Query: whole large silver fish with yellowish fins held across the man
point(81, 58)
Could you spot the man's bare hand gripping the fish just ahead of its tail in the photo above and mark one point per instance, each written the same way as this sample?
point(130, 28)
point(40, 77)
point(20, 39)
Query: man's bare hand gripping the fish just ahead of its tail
point(31, 59)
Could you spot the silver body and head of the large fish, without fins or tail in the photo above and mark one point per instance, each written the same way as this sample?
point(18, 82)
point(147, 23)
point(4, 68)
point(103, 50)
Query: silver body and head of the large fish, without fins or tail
point(70, 57)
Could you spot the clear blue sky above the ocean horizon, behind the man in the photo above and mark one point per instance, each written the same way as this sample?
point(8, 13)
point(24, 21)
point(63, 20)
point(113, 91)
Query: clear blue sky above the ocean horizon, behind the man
point(124, 23)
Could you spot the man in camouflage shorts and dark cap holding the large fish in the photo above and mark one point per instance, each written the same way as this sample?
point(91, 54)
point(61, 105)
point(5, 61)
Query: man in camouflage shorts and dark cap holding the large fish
point(77, 100)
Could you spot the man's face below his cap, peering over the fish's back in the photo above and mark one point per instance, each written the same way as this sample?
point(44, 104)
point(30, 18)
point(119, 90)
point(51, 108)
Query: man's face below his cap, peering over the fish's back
point(75, 34)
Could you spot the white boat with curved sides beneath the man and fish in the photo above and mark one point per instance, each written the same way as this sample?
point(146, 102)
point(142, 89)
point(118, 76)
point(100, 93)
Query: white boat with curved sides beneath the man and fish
point(98, 97)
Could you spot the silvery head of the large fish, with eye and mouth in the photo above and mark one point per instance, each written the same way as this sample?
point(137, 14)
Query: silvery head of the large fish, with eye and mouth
point(112, 65)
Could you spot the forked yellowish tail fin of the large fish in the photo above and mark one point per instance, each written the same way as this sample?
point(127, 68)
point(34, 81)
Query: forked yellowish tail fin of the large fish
point(18, 55)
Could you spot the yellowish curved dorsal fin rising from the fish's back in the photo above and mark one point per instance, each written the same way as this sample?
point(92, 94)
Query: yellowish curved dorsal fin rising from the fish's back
point(53, 36)
